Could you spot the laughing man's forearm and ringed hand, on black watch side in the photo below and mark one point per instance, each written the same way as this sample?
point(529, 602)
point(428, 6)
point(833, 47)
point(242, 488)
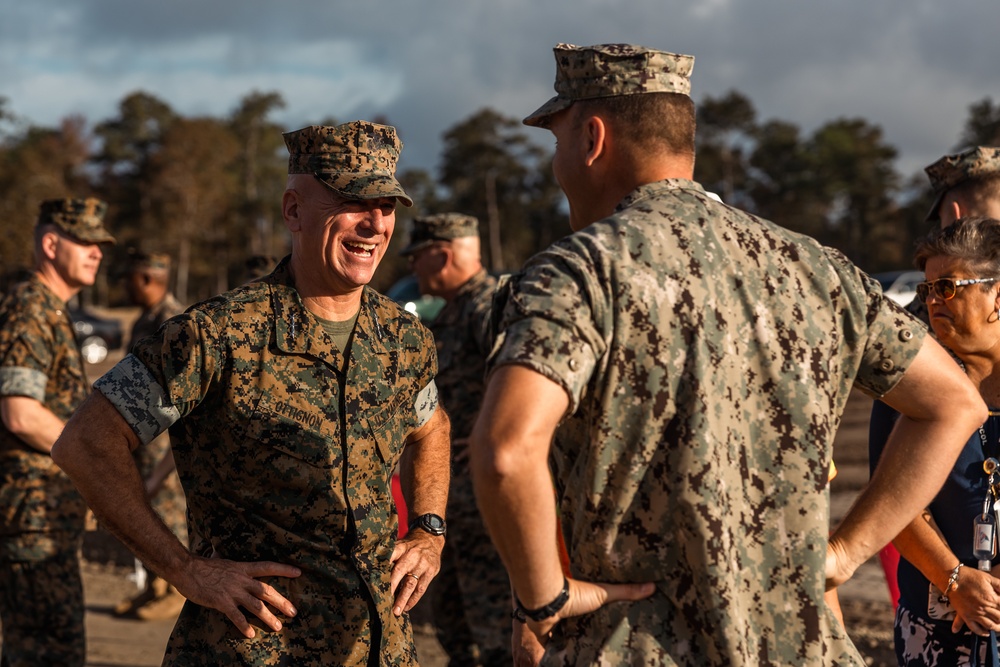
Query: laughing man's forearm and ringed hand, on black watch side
point(424, 476)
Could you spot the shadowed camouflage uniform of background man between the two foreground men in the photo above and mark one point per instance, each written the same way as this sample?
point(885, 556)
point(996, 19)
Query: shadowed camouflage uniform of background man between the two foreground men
point(472, 590)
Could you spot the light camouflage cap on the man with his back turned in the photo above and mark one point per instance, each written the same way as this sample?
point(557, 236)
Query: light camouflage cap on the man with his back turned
point(609, 70)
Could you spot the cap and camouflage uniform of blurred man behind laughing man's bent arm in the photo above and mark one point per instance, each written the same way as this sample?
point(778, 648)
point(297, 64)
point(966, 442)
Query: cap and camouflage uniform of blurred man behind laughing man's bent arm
point(168, 503)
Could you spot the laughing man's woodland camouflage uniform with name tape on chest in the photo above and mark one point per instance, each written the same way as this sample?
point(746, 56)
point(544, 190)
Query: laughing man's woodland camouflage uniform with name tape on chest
point(285, 458)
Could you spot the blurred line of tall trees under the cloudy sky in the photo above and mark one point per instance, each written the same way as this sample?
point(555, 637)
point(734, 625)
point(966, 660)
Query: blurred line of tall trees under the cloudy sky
point(207, 190)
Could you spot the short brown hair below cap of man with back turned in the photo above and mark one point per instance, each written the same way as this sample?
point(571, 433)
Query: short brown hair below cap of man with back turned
point(652, 120)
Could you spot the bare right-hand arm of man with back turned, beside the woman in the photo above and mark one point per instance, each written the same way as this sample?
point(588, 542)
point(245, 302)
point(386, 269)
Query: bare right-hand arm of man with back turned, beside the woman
point(918, 456)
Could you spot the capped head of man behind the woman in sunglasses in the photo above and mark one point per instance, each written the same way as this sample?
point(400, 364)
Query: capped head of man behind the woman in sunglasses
point(965, 184)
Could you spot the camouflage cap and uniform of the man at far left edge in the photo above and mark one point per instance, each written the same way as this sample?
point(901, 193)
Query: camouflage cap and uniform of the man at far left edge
point(41, 512)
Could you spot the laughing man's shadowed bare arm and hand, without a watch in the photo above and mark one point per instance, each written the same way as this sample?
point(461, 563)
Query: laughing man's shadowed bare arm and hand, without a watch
point(95, 451)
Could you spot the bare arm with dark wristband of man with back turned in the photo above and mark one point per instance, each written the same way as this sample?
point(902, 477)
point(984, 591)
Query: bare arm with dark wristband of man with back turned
point(509, 456)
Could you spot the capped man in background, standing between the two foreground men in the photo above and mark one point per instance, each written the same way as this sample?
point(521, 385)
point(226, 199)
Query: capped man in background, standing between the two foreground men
point(471, 599)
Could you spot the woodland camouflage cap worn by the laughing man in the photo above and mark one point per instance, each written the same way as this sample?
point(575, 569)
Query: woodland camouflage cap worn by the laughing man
point(356, 160)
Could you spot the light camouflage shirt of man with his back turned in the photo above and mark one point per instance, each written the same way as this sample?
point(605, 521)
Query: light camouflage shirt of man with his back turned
point(708, 356)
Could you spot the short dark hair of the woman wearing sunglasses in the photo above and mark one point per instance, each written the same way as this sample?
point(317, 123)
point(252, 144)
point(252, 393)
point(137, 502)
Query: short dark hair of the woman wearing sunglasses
point(975, 241)
